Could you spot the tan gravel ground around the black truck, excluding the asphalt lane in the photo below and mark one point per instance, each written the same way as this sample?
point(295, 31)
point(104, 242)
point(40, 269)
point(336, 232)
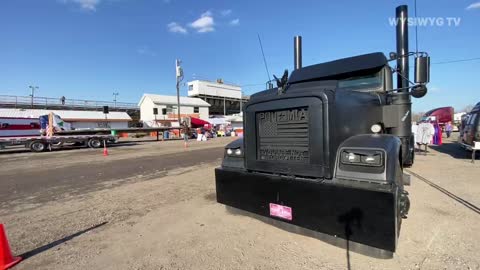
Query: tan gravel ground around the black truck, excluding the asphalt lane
point(173, 222)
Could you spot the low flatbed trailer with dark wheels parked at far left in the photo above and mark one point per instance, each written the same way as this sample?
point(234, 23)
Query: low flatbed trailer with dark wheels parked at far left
point(42, 143)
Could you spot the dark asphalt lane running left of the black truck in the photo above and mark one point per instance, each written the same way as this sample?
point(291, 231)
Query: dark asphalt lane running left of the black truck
point(50, 182)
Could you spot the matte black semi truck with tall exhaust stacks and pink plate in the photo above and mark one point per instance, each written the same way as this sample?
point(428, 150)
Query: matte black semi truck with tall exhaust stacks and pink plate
point(325, 150)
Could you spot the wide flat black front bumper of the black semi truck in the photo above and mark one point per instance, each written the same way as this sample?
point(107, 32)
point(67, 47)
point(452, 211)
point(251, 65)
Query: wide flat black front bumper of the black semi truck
point(363, 216)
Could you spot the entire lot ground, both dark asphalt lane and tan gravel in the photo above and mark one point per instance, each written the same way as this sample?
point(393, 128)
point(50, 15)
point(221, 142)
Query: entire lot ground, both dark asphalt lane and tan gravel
point(151, 205)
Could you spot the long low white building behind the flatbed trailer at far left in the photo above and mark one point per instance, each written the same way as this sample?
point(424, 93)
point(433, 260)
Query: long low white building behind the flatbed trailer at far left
point(77, 119)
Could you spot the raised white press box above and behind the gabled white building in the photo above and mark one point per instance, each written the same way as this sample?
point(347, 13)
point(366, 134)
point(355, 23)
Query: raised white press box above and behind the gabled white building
point(216, 89)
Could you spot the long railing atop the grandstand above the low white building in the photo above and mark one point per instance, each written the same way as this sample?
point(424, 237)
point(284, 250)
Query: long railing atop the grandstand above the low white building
point(39, 102)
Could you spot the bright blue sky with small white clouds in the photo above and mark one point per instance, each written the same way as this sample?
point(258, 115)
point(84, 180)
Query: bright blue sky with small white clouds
point(88, 49)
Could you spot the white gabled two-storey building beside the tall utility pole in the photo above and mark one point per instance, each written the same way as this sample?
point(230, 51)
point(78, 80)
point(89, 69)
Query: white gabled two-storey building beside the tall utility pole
point(167, 109)
